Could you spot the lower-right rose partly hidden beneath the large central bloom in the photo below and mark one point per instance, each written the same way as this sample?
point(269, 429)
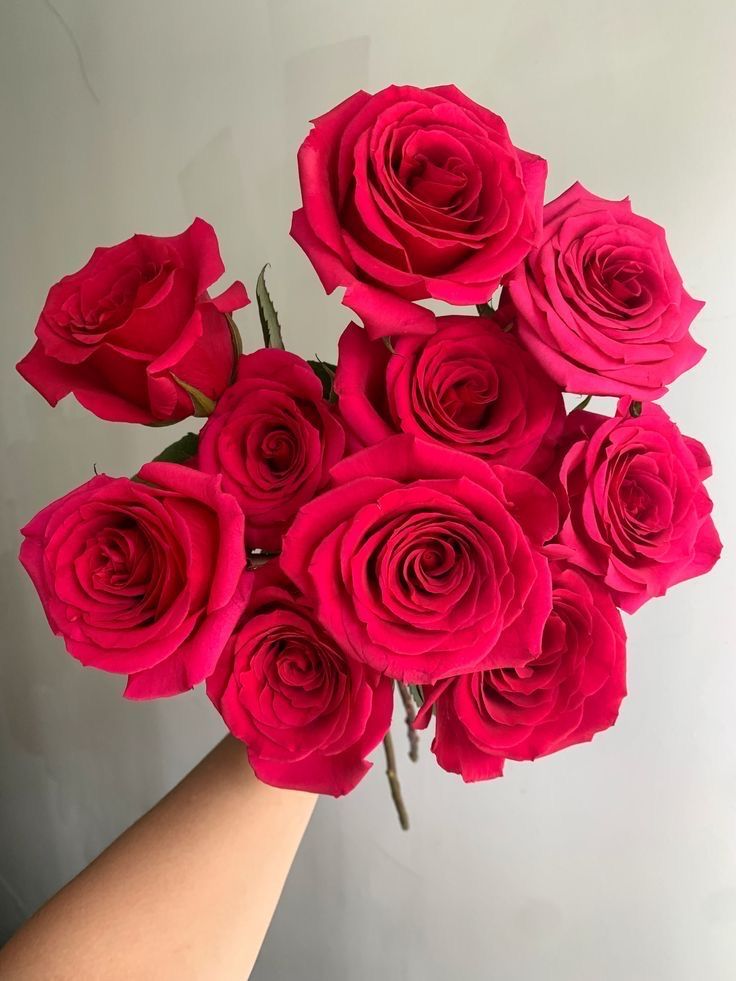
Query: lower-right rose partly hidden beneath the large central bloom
point(564, 695)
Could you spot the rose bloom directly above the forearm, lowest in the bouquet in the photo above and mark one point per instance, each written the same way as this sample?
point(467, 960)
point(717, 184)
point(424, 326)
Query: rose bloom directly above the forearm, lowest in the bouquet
point(308, 713)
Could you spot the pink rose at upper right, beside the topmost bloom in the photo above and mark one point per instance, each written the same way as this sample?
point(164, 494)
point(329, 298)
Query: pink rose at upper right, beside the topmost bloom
point(600, 302)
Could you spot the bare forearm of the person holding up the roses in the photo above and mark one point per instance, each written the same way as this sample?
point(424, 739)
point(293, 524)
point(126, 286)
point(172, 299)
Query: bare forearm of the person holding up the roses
point(186, 893)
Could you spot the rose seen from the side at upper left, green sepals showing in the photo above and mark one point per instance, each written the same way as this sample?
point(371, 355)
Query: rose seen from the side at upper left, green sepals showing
point(135, 322)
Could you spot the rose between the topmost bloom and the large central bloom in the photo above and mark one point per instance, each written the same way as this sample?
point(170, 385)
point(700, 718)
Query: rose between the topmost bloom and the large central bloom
point(468, 386)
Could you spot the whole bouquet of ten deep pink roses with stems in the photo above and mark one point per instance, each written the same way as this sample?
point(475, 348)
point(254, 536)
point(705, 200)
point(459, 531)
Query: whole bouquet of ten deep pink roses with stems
point(424, 515)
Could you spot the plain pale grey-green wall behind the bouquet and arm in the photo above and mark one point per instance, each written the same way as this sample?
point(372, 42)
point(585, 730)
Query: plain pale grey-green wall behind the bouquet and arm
point(613, 861)
